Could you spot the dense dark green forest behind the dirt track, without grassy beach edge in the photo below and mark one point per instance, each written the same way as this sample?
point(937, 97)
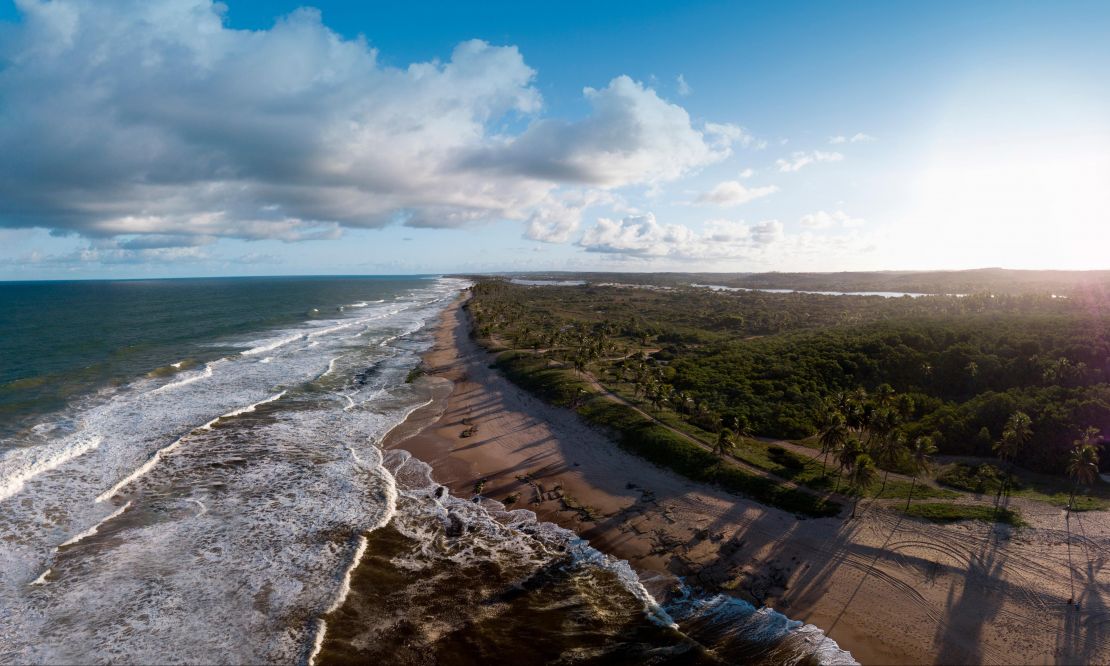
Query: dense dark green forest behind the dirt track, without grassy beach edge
point(773, 362)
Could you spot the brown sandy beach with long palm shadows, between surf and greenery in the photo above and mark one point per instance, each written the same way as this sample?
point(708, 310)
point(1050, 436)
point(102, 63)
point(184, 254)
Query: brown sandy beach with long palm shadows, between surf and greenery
point(889, 589)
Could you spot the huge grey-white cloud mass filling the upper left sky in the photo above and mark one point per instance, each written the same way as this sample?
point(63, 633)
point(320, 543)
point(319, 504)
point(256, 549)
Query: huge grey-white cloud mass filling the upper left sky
point(154, 118)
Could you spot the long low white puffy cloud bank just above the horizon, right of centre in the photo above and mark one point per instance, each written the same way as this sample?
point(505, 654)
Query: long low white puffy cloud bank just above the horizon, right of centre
point(643, 237)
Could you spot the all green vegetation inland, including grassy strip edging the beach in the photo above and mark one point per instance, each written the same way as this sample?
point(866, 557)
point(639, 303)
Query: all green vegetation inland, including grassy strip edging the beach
point(876, 388)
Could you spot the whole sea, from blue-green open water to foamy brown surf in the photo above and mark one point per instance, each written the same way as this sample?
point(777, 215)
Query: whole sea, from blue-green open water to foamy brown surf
point(190, 471)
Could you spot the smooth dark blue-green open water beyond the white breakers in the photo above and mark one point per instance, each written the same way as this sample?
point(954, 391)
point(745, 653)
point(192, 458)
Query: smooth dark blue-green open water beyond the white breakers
point(59, 340)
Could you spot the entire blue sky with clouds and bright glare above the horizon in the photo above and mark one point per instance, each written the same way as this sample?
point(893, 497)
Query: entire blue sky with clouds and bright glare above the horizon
point(177, 138)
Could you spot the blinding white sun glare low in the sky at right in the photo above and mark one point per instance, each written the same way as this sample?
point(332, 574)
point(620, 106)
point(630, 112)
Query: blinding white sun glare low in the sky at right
point(1036, 204)
